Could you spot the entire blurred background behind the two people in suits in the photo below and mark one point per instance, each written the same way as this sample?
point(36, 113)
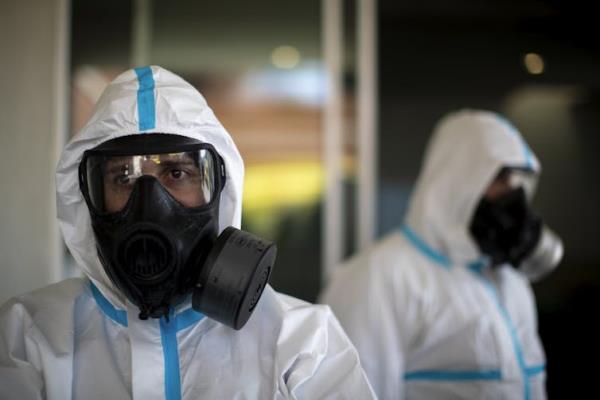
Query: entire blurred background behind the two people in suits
point(265, 68)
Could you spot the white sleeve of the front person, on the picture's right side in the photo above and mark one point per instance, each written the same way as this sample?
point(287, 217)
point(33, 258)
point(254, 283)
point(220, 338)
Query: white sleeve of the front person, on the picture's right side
point(320, 364)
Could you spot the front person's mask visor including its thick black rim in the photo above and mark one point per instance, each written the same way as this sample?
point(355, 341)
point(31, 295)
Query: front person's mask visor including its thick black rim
point(190, 171)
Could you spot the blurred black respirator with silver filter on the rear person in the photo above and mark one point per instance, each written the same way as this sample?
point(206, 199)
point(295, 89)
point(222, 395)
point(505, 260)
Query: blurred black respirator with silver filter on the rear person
point(508, 231)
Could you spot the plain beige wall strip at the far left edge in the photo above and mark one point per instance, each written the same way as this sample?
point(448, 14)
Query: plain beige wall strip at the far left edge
point(34, 52)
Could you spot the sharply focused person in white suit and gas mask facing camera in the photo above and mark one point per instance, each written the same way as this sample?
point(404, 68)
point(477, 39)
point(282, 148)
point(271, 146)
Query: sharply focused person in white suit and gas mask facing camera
point(148, 193)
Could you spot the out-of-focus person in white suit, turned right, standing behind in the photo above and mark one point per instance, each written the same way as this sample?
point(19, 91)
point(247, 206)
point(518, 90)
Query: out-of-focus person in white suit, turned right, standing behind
point(443, 308)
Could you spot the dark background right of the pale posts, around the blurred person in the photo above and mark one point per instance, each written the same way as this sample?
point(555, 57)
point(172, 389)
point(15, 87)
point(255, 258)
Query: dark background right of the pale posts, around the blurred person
point(437, 56)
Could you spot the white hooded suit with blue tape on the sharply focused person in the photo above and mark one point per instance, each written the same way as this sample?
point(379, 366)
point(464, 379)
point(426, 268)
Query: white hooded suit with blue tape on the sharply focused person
point(82, 338)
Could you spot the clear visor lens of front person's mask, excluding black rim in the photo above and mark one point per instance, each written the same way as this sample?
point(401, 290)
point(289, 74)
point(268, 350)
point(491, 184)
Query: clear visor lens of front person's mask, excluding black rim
point(188, 176)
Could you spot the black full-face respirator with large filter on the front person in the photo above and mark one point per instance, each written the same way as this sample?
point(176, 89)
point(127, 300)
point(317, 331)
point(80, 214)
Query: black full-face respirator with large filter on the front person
point(154, 205)
